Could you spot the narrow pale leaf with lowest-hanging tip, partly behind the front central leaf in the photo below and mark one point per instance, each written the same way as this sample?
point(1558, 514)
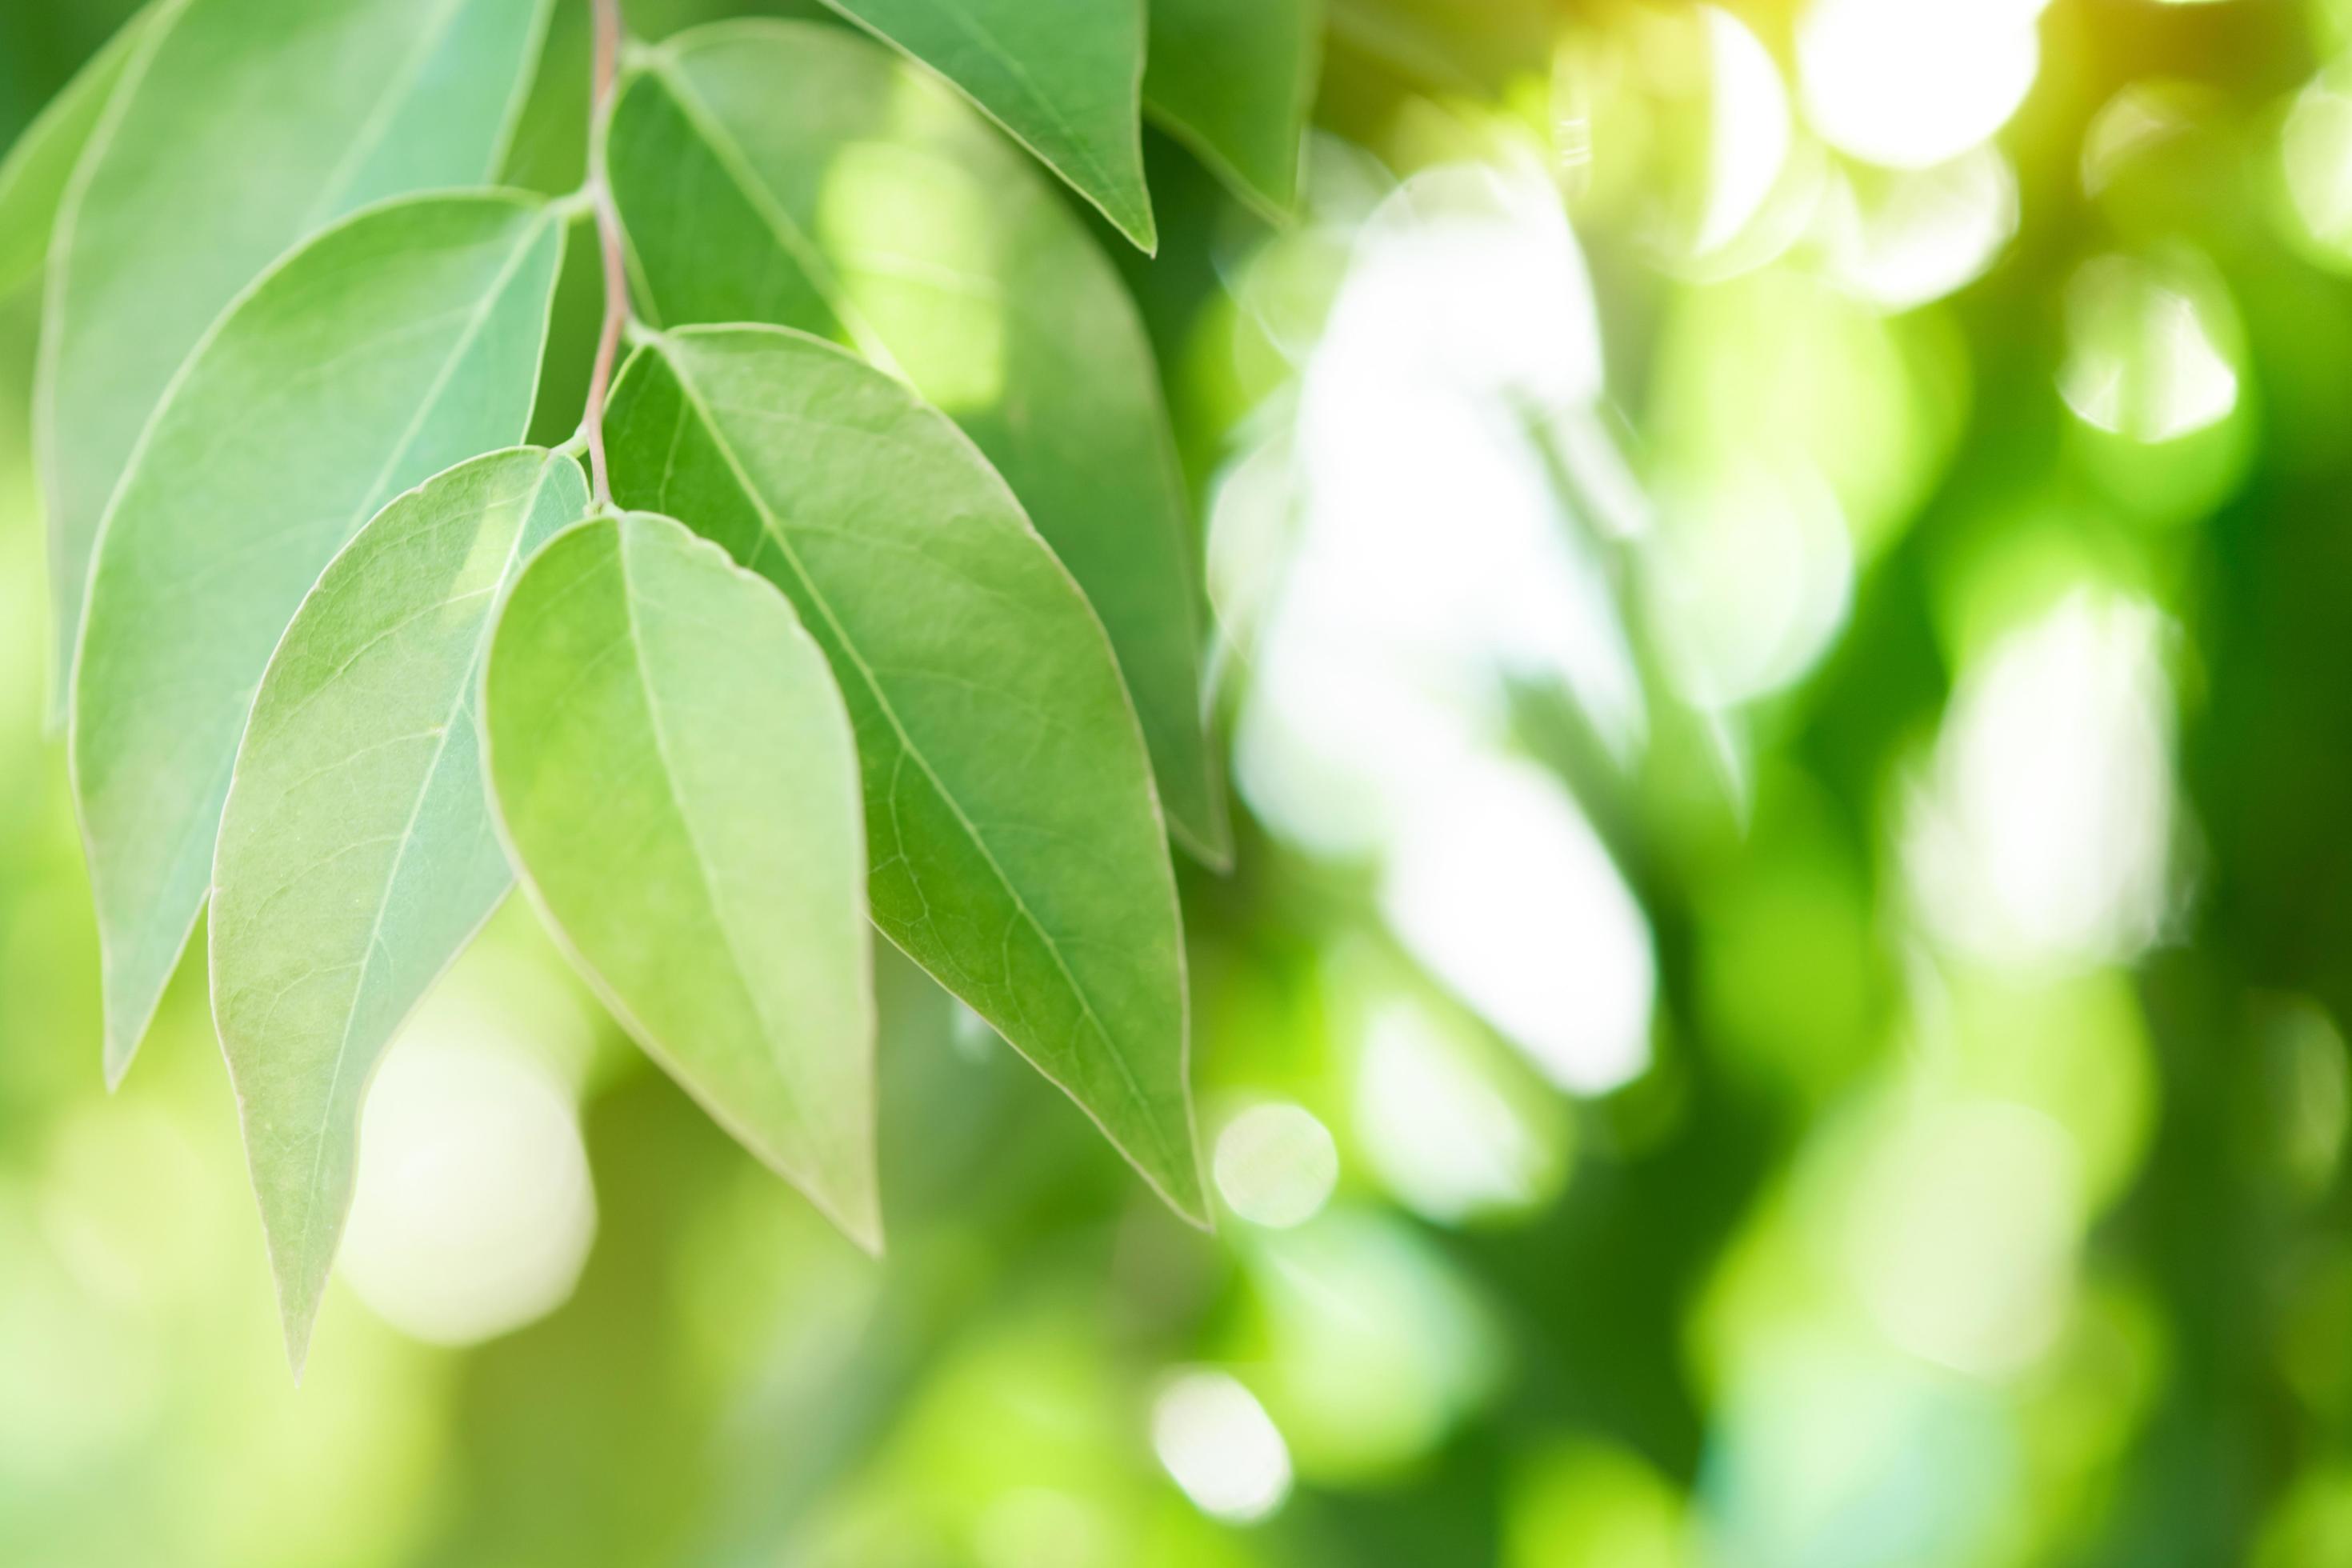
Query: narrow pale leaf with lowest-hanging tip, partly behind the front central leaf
point(356, 850)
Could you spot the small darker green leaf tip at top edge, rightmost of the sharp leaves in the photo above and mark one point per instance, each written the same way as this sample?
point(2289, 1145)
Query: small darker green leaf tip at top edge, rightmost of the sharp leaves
point(1236, 79)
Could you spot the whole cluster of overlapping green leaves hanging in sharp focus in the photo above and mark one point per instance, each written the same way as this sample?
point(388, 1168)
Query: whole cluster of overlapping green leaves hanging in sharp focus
point(876, 608)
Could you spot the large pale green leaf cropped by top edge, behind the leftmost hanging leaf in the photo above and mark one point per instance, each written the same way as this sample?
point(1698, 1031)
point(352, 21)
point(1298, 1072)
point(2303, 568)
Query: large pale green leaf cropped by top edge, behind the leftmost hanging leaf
point(239, 130)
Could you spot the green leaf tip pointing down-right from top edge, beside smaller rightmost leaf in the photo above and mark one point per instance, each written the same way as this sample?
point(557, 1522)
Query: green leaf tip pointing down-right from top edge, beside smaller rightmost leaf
point(1062, 76)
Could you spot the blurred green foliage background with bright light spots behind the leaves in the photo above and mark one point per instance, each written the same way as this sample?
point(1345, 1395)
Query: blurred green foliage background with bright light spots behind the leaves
point(1975, 1193)
